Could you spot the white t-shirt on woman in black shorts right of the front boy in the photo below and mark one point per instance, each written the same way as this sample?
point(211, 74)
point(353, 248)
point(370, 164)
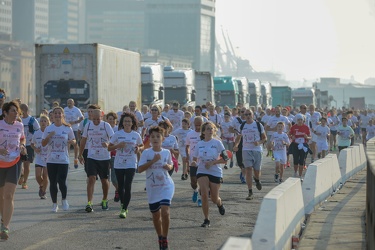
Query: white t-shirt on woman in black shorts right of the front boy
point(206, 151)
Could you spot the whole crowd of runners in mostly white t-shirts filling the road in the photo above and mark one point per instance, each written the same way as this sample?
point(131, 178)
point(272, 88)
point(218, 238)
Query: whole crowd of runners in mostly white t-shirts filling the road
point(203, 140)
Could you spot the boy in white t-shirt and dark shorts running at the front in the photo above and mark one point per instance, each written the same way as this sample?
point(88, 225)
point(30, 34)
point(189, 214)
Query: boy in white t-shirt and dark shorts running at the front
point(157, 161)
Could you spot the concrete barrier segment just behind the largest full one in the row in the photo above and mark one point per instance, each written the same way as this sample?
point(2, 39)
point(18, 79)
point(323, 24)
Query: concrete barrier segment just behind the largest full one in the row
point(322, 178)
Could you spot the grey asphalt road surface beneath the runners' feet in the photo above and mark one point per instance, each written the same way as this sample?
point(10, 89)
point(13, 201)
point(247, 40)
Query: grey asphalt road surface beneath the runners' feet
point(34, 226)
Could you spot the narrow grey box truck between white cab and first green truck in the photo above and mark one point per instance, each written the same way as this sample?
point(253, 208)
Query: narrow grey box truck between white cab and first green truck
point(204, 87)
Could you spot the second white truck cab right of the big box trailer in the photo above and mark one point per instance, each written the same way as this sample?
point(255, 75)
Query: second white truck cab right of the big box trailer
point(179, 86)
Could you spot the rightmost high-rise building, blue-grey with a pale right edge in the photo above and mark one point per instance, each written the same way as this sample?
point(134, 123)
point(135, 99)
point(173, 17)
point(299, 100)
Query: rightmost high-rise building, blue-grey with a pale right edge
point(182, 28)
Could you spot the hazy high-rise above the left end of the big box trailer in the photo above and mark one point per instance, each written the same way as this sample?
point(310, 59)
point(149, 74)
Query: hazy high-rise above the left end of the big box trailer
point(29, 20)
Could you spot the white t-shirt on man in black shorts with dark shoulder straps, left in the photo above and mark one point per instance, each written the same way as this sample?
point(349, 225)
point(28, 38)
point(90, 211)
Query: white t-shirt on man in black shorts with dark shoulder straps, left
point(96, 135)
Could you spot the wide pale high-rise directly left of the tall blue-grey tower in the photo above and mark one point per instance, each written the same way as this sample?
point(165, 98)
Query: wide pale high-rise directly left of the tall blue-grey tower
point(118, 23)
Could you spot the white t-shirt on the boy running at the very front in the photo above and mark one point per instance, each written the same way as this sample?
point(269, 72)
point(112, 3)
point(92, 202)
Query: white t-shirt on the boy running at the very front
point(159, 184)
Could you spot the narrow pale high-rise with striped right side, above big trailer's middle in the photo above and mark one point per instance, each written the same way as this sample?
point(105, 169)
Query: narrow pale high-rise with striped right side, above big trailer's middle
point(64, 20)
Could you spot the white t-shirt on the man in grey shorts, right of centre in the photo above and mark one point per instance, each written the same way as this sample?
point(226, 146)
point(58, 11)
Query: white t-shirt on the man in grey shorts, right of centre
point(250, 134)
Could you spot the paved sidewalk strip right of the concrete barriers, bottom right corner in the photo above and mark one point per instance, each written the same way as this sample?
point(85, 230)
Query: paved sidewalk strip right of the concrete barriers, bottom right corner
point(340, 222)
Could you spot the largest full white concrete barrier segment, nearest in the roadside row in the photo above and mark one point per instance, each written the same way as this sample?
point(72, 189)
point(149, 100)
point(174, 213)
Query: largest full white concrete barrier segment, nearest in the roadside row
point(280, 216)
